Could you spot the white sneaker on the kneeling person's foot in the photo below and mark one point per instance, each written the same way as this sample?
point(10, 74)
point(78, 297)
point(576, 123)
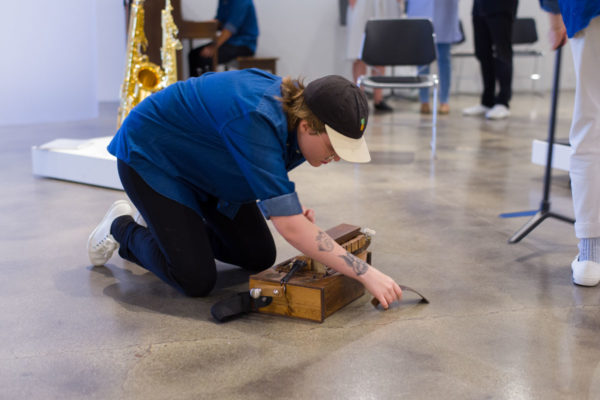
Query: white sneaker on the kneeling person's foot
point(101, 244)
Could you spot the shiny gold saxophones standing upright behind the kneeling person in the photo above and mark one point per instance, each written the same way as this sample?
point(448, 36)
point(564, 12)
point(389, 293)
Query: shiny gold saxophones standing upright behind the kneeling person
point(142, 77)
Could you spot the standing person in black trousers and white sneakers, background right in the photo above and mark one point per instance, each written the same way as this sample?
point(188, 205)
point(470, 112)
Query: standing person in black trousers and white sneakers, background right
point(492, 32)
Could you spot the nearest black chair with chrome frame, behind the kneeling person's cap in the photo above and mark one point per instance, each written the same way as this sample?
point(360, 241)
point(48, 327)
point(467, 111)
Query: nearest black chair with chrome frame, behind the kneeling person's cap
point(401, 42)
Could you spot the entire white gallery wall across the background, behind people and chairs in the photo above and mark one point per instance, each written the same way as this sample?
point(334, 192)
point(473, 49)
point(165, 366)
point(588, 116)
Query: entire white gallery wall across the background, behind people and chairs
point(71, 53)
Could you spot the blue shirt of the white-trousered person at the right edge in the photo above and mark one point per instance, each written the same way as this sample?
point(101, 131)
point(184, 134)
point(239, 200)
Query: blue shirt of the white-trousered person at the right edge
point(576, 14)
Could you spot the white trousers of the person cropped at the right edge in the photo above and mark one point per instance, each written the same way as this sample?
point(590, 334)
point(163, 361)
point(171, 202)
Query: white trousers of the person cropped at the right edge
point(585, 132)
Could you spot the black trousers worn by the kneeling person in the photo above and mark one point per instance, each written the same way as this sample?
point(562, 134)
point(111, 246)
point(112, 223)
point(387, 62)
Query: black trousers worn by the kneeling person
point(180, 246)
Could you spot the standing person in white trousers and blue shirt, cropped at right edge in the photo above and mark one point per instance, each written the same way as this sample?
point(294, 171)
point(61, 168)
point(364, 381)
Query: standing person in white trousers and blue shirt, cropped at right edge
point(582, 26)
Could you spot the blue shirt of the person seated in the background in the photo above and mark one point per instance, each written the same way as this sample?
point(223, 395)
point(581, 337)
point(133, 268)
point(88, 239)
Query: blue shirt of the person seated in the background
point(239, 17)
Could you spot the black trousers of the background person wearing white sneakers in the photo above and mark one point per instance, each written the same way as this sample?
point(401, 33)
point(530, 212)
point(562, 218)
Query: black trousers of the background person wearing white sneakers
point(493, 48)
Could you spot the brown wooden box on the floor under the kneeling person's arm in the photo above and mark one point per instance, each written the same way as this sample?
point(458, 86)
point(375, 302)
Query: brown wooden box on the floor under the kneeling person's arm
point(314, 292)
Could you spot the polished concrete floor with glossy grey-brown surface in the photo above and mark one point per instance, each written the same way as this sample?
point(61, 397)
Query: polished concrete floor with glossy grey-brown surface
point(505, 321)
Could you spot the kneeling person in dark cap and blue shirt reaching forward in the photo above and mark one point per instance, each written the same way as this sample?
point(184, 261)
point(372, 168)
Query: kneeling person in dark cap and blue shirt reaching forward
point(194, 159)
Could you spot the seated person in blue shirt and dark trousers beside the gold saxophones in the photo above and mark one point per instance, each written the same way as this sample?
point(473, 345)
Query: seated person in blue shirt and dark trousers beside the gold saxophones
point(239, 31)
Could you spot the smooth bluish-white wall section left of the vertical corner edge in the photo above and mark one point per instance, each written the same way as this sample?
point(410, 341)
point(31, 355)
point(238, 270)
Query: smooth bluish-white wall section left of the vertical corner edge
point(49, 62)
